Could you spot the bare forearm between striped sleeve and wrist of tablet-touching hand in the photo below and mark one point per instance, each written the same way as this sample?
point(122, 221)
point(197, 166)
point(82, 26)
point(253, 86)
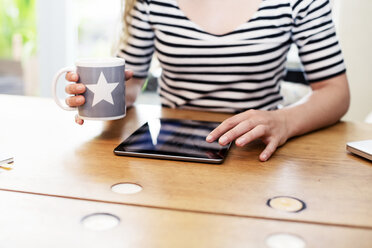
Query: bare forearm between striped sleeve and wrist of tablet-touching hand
point(328, 102)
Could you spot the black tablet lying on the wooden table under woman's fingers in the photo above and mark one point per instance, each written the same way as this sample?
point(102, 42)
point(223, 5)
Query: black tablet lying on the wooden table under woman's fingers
point(174, 139)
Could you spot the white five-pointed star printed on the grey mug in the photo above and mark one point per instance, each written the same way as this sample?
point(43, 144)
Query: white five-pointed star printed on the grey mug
point(102, 90)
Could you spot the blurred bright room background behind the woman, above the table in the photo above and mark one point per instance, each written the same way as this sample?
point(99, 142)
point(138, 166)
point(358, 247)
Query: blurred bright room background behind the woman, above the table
point(38, 37)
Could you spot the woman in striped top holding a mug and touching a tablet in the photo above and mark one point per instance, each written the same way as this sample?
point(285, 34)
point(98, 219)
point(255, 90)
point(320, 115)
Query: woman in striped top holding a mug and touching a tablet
point(229, 56)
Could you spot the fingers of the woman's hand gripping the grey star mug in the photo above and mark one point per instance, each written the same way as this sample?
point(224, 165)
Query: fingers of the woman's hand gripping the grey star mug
point(77, 89)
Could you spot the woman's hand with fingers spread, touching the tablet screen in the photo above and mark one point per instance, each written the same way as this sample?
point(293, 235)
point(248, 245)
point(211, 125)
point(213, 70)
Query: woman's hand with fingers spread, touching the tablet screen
point(269, 126)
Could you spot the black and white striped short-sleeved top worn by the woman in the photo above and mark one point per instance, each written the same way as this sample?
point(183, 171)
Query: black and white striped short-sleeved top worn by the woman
point(236, 71)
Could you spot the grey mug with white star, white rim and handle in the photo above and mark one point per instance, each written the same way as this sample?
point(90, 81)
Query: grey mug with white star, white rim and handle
point(104, 80)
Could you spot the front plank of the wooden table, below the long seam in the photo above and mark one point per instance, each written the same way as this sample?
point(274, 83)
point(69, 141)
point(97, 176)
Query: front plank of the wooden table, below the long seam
point(43, 221)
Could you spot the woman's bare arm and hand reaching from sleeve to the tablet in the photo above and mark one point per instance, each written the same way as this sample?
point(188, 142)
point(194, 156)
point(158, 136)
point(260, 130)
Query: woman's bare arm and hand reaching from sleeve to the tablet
point(328, 102)
